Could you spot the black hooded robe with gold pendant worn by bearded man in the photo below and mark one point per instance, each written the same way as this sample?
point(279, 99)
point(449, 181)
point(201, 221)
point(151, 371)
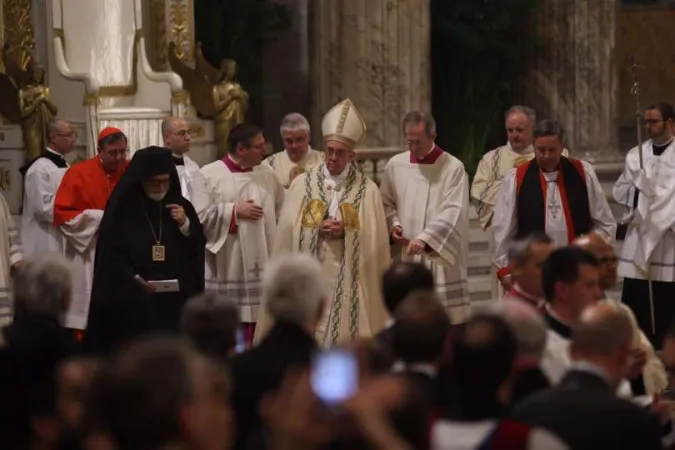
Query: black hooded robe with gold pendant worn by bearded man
point(133, 229)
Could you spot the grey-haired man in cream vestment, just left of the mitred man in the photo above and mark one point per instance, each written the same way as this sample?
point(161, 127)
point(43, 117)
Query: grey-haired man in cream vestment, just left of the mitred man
point(298, 156)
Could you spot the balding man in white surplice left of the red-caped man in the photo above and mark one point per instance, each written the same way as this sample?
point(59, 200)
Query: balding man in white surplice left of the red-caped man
point(42, 177)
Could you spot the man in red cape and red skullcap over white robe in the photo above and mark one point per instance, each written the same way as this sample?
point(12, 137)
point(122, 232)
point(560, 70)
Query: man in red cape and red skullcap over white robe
point(78, 209)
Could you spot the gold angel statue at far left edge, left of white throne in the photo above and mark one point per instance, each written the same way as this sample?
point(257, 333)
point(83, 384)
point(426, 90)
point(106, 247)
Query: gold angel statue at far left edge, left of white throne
point(24, 99)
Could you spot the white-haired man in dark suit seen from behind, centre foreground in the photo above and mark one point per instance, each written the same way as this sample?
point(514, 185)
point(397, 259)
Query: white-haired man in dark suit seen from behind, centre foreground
point(294, 295)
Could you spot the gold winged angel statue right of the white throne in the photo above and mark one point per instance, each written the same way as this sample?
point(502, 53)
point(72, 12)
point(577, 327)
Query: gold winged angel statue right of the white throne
point(214, 93)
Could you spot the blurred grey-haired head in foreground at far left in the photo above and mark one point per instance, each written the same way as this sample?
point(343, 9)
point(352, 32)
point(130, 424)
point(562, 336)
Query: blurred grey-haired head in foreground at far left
point(42, 284)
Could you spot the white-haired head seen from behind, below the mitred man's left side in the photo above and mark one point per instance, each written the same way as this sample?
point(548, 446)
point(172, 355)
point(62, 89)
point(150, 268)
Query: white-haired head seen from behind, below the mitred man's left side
point(294, 288)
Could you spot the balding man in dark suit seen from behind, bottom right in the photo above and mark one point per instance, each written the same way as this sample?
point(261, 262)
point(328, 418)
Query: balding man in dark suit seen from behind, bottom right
point(583, 409)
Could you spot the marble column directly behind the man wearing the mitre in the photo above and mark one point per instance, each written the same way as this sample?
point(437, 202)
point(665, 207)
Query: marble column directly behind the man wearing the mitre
point(377, 53)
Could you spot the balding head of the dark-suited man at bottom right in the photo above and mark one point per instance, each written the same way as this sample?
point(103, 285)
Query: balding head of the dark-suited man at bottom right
point(604, 336)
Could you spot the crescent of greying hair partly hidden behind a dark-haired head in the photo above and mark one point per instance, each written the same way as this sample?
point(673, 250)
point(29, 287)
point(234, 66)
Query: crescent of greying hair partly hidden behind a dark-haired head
point(525, 322)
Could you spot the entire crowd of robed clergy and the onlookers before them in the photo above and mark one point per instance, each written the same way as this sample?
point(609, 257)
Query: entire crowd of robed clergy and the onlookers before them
point(291, 302)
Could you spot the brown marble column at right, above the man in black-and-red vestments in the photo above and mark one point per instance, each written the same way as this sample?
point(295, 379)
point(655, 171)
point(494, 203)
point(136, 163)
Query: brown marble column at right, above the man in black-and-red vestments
point(573, 75)
